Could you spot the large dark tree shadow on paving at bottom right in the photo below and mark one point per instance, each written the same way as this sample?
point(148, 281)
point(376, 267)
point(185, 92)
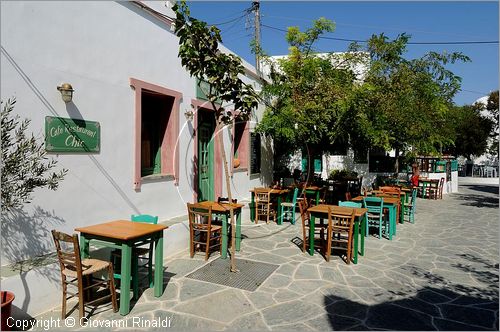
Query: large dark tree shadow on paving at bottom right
point(440, 305)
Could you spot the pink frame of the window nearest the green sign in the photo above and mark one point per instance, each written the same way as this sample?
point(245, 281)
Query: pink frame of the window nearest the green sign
point(169, 166)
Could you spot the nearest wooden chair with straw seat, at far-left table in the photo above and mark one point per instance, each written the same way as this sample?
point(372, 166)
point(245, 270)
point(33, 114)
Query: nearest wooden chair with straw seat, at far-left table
point(75, 271)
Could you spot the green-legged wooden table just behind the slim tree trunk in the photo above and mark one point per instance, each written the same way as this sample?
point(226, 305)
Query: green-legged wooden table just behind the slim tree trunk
point(224, 210)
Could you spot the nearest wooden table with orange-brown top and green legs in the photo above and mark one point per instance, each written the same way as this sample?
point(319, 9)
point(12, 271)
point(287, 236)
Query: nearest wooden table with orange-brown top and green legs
point(124, 235)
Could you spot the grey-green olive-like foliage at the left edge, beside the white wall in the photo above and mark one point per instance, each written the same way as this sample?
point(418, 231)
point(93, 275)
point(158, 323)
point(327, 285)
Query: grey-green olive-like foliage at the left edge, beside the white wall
point(25, 165)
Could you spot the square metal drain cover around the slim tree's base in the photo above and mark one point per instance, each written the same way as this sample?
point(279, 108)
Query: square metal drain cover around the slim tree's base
point(251, 275)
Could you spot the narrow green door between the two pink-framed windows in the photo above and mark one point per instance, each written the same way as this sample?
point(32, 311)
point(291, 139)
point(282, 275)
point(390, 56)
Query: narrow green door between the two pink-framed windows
point(206, 128)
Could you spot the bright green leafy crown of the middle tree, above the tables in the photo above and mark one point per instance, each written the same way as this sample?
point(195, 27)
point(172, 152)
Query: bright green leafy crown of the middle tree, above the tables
point(310, 95)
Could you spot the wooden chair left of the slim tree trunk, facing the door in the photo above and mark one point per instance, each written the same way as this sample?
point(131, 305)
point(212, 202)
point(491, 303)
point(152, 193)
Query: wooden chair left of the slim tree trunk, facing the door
point(201, 230)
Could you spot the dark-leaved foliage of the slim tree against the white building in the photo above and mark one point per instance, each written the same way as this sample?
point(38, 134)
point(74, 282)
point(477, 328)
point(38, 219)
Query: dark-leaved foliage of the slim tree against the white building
point(200, 55)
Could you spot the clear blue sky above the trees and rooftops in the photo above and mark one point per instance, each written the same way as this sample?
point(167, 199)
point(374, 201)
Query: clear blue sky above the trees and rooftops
point(425, 21)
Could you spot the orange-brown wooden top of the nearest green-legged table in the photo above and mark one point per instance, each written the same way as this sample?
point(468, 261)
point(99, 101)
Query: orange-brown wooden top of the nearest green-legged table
point(121, 229)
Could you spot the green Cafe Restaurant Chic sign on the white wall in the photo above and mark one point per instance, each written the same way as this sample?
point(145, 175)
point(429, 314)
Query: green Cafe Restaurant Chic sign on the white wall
point(71, 135)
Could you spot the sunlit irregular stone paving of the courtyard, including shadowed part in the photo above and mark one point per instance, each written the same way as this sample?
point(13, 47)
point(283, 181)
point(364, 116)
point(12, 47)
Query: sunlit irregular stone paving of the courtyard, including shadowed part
point(440, 273)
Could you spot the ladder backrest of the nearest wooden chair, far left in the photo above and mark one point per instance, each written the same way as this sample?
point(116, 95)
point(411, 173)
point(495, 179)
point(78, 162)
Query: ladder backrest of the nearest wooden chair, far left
point(68, 252)
